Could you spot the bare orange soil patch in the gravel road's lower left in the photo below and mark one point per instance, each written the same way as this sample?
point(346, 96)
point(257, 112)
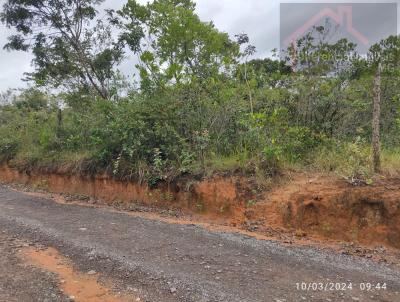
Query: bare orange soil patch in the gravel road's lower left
point(83, 287)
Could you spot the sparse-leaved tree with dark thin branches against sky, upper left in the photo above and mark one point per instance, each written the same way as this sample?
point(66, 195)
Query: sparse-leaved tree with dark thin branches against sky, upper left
point(70, 47)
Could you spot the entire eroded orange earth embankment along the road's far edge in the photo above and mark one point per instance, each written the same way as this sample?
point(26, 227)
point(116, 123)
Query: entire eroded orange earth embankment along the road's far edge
point(317, 206)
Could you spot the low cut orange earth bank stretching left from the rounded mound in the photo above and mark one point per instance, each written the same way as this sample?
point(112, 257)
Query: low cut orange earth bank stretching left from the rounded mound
point(218, 196)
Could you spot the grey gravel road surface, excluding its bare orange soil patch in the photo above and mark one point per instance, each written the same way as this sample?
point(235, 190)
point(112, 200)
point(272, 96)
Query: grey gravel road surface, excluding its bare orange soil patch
point(152, 260)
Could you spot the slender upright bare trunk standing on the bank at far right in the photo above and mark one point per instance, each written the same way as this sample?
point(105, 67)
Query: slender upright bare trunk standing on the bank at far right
point(376, 119)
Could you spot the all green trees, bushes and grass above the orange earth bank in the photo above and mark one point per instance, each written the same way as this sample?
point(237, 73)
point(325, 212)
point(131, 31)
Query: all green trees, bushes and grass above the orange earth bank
point(201, 104)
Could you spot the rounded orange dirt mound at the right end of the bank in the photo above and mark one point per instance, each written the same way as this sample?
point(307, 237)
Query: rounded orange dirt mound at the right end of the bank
point(327, 207)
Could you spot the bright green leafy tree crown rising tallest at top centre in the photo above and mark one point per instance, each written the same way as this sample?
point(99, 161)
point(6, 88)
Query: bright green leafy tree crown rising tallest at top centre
point(175, 45)
